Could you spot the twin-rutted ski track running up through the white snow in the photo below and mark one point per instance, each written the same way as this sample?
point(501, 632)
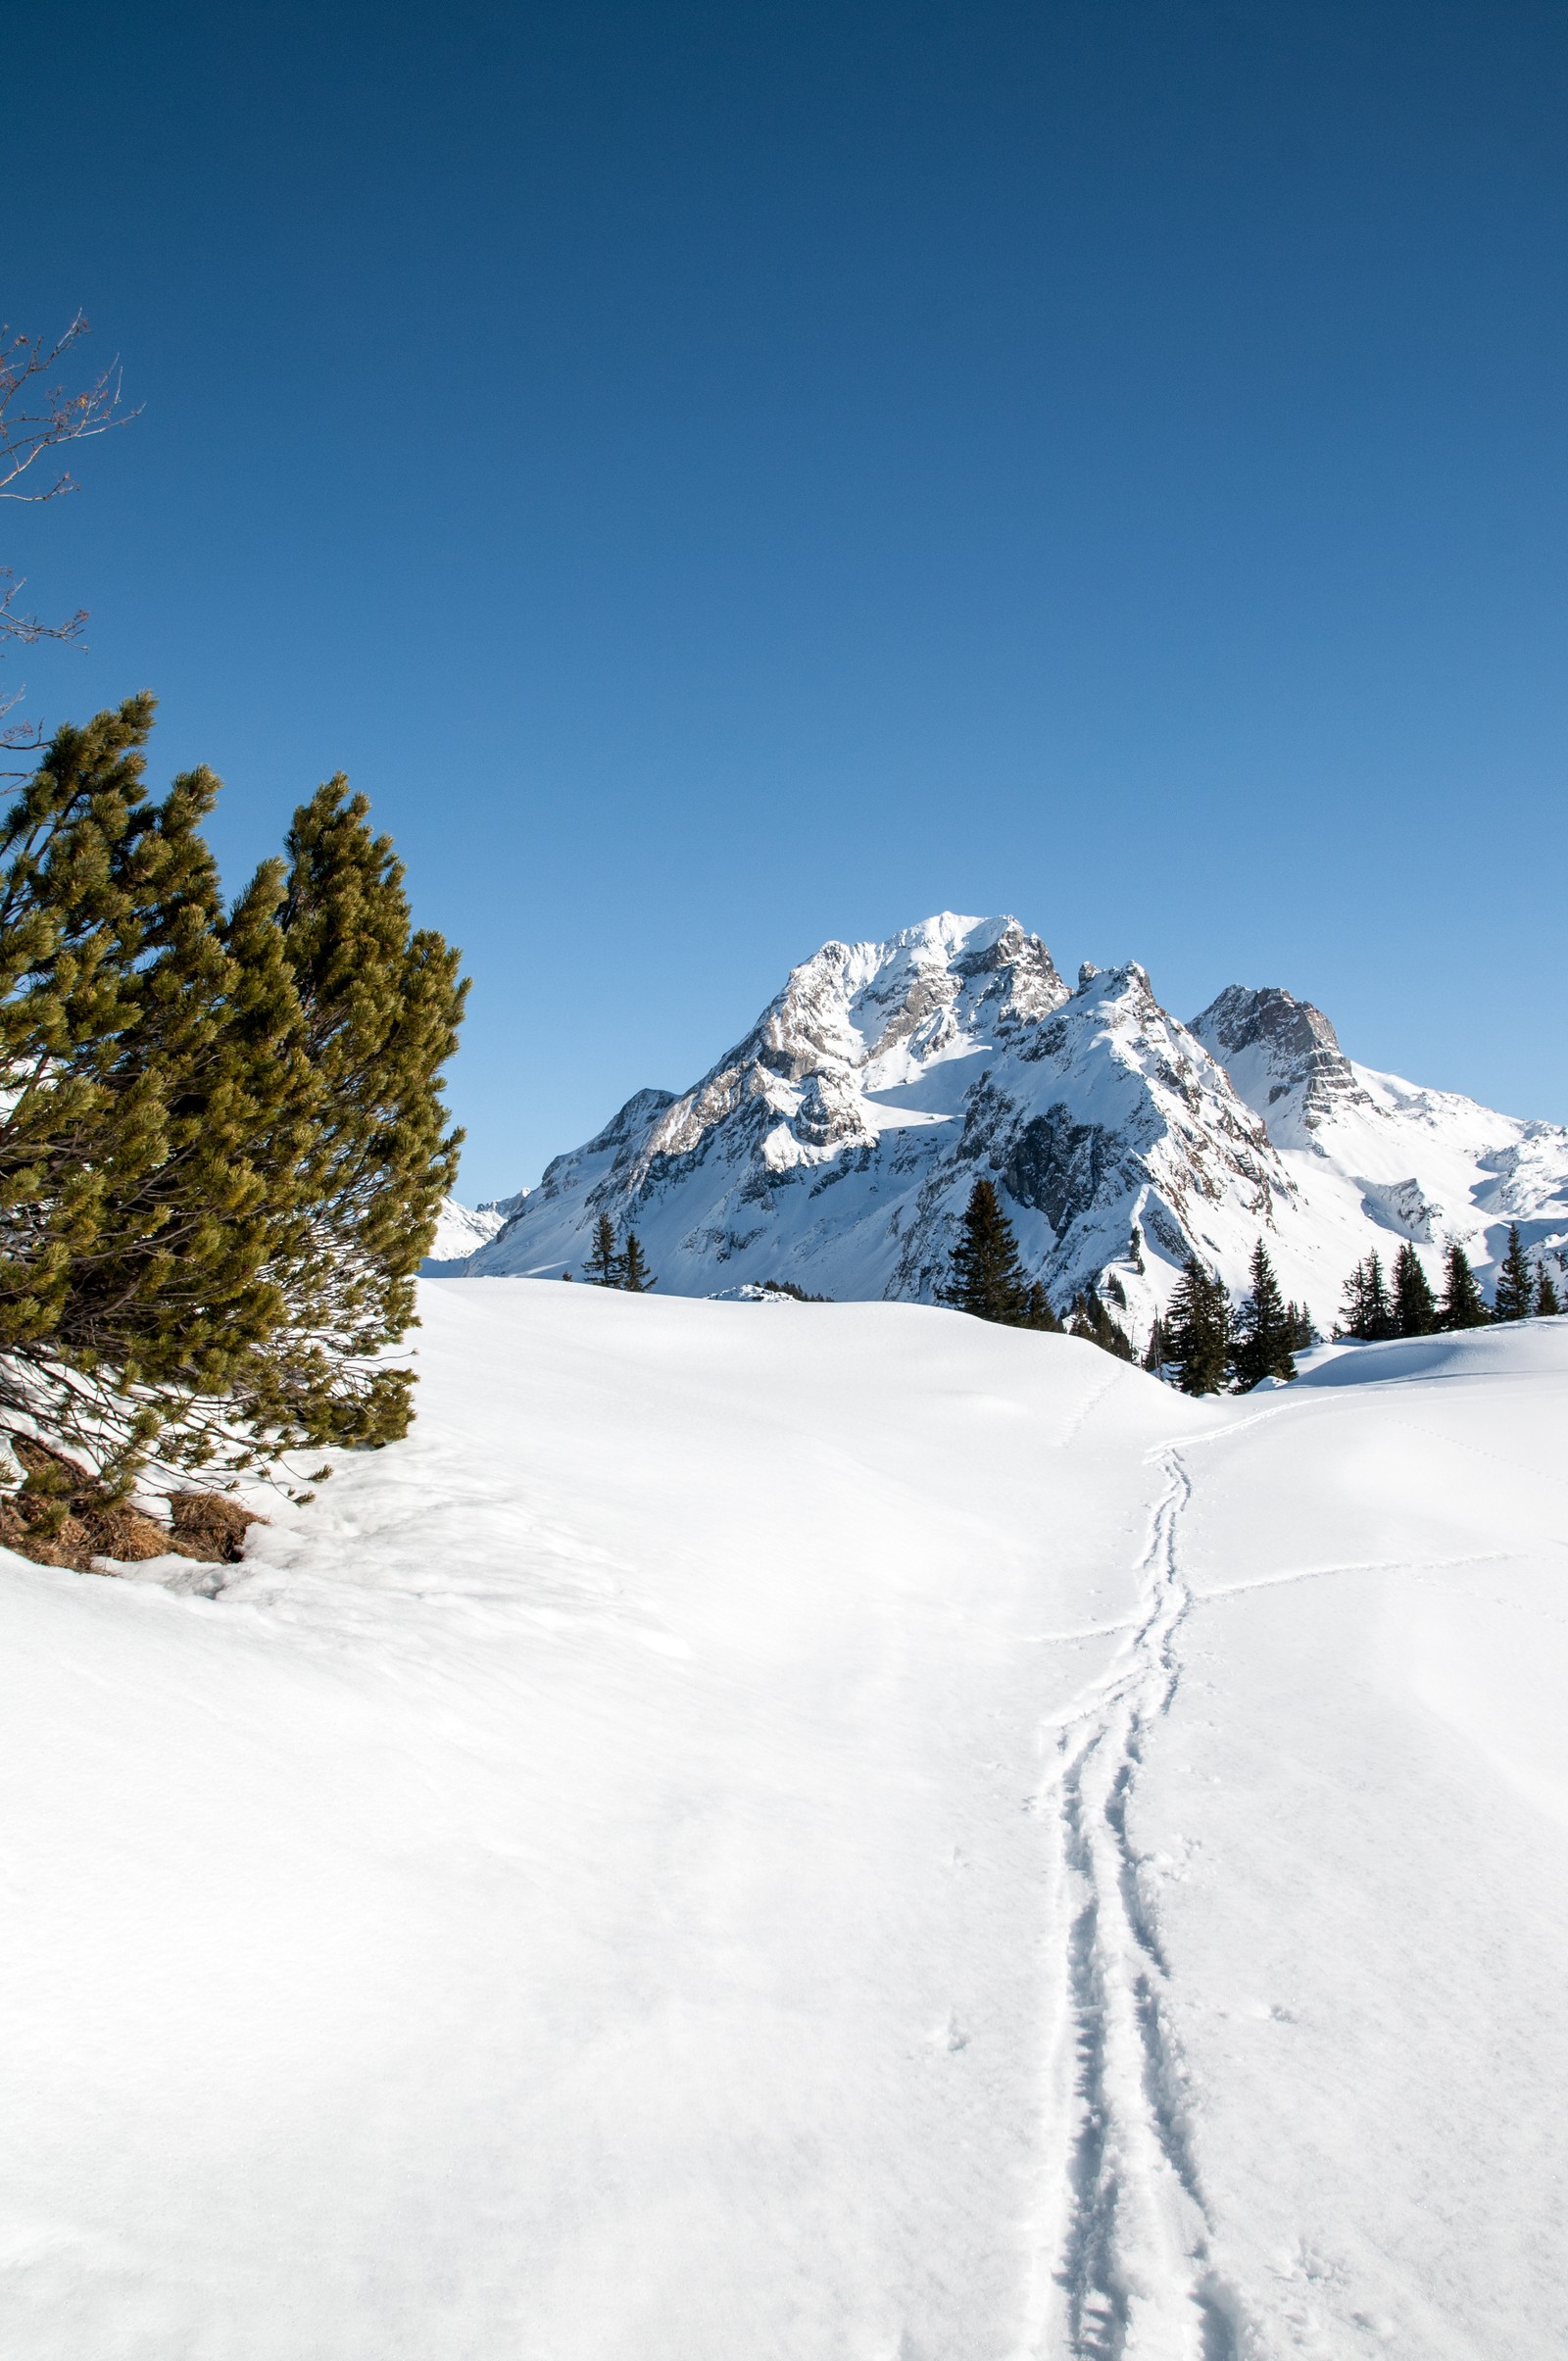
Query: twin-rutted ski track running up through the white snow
point(1125, 2270)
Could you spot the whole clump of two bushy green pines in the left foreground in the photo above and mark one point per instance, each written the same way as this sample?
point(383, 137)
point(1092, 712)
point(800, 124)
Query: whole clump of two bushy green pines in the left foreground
point(223, 1144)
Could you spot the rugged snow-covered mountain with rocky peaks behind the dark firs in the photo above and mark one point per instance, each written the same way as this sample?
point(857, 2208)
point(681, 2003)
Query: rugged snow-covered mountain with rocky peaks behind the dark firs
point(839, 1142)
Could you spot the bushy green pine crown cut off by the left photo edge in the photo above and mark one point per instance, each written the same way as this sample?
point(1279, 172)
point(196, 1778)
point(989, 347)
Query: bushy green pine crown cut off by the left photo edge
point(148, 1047)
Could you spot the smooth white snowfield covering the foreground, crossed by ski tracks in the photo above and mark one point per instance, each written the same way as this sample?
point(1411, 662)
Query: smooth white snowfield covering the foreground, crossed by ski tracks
point(828, 1836)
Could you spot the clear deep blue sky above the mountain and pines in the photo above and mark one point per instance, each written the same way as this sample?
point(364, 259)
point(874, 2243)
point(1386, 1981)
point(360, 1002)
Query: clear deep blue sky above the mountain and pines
point(736, 476)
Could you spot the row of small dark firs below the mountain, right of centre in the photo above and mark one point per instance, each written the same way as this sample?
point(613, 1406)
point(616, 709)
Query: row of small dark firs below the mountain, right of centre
point(1206, 1342)
